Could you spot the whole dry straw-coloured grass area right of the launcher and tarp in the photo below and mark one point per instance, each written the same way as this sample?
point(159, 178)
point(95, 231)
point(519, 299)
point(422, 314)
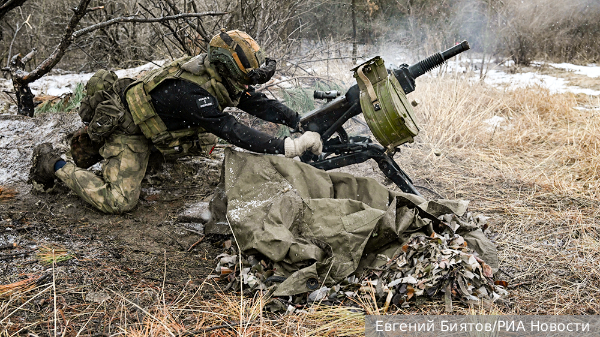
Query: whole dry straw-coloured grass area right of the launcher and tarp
point(535, 175)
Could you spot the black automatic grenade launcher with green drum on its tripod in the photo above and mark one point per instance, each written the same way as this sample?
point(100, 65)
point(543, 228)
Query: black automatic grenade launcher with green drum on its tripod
point(380, 95)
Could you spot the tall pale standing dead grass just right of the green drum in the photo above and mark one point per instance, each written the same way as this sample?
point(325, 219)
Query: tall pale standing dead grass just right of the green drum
point(537, 133)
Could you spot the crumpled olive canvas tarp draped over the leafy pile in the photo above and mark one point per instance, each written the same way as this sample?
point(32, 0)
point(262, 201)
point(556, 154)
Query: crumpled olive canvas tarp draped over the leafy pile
point(321, 227)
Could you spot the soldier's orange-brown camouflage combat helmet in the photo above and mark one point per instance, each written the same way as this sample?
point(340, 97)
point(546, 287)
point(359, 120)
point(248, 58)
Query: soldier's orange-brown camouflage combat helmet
point(238, 54)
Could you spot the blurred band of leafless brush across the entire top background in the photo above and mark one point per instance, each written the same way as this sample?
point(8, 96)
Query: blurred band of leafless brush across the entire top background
point(292, 30)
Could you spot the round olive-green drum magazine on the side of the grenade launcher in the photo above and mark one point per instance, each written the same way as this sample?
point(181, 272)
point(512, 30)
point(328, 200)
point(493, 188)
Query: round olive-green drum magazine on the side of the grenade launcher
point(384, 104)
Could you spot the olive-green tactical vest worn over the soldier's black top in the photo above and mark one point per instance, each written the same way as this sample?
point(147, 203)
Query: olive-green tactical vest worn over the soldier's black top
point(197, 70)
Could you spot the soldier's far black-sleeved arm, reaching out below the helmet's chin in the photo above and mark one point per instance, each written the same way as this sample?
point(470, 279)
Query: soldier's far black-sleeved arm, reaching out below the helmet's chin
point(259, 105)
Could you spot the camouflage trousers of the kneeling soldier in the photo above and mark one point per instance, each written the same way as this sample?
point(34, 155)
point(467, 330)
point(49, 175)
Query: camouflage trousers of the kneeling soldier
point(118, 190)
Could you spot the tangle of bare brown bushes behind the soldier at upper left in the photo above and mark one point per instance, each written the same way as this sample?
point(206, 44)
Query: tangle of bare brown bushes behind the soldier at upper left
point(40, 24)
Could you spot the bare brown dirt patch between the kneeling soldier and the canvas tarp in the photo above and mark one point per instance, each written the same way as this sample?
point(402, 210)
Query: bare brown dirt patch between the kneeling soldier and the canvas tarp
point(135, 242)
